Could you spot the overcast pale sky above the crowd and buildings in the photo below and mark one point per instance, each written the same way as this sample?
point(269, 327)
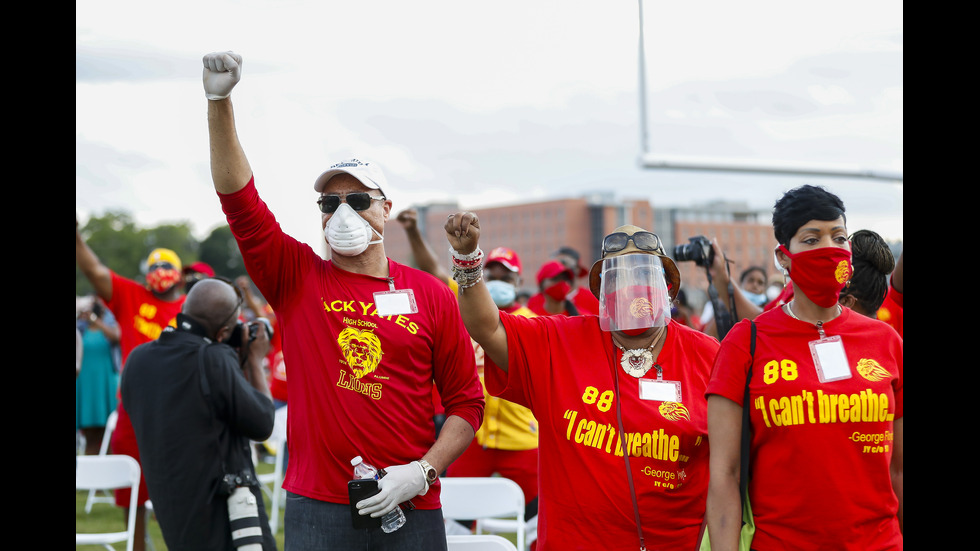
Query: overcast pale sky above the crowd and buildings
point(490, 103)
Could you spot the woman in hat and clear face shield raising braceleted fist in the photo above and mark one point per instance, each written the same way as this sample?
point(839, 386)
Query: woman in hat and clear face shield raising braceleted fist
point(619, 396)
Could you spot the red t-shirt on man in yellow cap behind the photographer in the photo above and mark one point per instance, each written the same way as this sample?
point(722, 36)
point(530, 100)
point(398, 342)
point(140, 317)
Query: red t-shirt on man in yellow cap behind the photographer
point(142, 316)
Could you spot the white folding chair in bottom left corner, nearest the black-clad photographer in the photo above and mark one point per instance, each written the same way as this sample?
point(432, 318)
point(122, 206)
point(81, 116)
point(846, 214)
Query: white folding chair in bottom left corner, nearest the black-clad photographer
point(109, 472)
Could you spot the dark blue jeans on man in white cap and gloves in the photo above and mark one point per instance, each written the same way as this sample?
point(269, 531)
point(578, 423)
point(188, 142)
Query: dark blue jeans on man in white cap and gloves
point(313, 525)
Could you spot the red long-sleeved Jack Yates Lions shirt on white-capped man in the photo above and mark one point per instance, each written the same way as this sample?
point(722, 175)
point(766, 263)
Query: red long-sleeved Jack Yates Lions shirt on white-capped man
point(359, 383)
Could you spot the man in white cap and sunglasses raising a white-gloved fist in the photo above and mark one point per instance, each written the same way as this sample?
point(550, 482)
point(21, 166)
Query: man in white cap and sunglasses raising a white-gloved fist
point(364, 338)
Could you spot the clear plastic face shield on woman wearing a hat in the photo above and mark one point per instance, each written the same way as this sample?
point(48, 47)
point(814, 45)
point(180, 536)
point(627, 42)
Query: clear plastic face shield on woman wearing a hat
point(633, 293)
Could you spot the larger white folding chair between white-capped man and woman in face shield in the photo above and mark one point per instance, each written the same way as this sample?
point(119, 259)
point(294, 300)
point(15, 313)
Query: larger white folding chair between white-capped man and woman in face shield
point(484, 499)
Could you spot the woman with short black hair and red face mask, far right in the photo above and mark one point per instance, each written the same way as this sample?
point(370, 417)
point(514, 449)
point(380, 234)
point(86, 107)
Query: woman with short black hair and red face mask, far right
point(823, 388)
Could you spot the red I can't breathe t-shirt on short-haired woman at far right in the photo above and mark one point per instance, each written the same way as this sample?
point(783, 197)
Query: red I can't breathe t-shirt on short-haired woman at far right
point(821, 452)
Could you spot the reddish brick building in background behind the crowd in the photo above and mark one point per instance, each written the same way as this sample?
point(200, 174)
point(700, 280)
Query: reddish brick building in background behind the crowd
point(536, 230)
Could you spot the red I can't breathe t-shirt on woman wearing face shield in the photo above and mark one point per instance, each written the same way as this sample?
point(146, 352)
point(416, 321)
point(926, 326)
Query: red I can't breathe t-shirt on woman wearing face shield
point(562, 368)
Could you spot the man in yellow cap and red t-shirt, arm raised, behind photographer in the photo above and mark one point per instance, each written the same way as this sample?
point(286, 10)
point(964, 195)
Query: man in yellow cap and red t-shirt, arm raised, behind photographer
point(143, 311)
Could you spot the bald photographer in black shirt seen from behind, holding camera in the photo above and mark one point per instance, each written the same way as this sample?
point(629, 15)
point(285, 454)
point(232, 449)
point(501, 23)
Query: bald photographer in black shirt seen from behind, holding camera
point(196, 396)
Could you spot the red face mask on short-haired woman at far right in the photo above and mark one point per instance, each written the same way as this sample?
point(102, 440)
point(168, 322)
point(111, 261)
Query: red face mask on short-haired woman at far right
point(820, 274)
